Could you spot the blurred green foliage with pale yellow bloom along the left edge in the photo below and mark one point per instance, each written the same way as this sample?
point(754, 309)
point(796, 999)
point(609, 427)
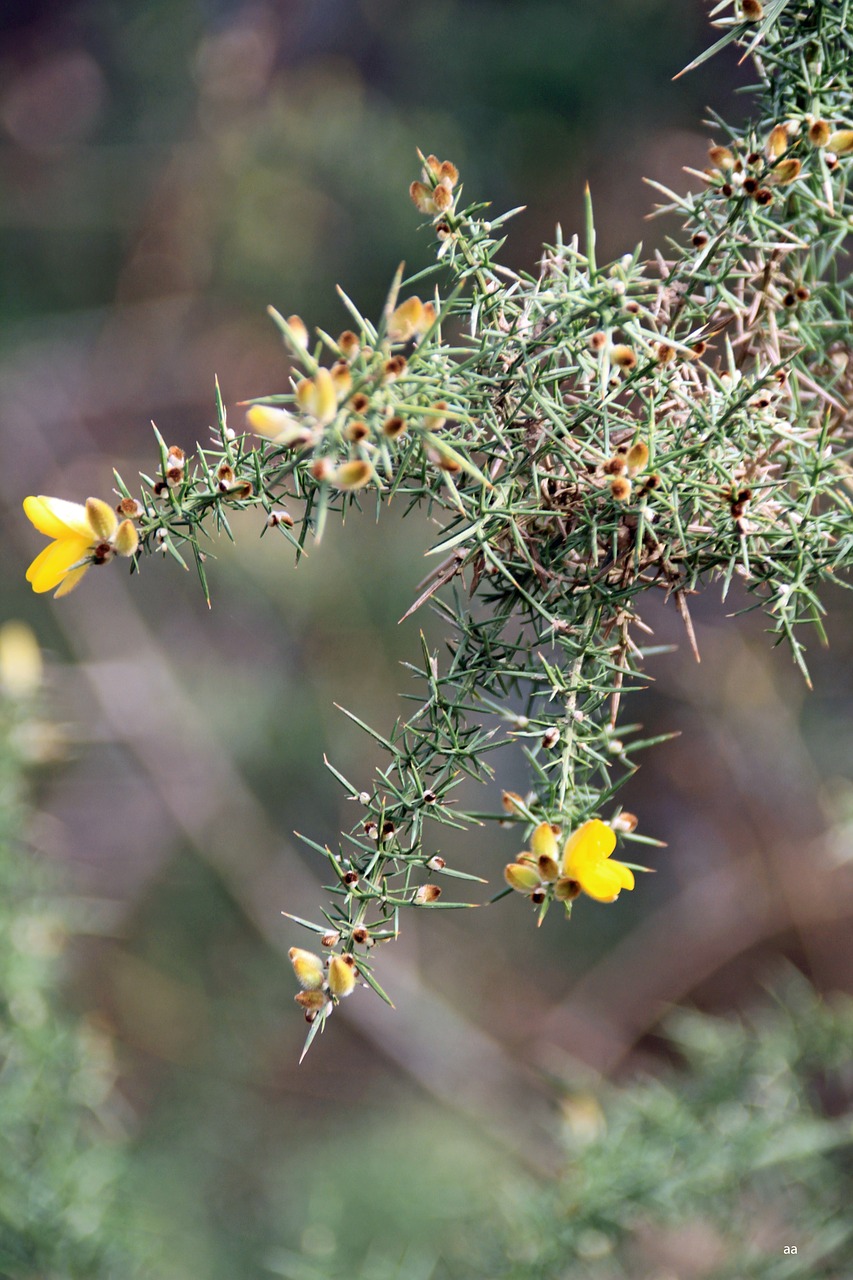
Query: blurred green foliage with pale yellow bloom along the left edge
point(61, 1135)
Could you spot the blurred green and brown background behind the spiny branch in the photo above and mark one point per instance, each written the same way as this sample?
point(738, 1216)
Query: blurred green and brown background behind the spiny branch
point(168, 168)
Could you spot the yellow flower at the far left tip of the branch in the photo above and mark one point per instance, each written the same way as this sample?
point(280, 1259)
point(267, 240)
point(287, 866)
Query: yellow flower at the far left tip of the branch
point(81, 537)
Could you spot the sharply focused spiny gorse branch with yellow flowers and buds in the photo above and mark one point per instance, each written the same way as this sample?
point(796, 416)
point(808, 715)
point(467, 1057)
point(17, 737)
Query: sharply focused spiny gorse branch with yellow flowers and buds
point(583, 436)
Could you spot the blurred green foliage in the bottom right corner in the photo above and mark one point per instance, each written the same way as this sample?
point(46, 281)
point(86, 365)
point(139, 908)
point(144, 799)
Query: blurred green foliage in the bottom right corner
point(718, 1167)
